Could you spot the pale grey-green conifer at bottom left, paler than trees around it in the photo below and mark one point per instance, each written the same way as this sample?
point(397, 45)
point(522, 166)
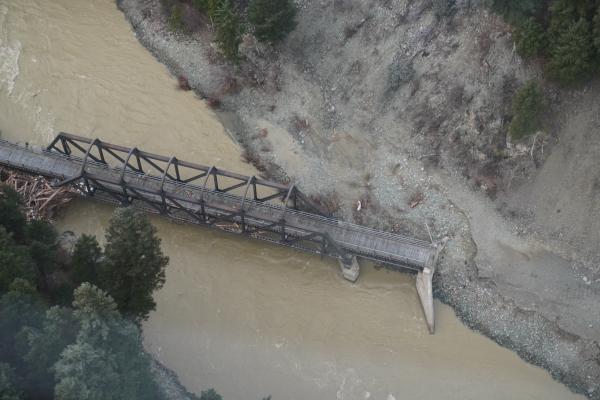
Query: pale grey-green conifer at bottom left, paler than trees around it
point(107, 360)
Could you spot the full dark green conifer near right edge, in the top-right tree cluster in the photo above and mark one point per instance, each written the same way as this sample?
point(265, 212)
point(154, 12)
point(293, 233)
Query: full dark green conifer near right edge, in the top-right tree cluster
point(571, 54)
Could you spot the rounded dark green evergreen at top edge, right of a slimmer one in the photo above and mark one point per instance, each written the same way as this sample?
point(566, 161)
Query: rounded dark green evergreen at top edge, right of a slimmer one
point(272, 19)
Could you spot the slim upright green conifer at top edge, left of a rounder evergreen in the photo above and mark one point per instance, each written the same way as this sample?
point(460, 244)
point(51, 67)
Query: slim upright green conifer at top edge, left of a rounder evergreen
point(229, 30)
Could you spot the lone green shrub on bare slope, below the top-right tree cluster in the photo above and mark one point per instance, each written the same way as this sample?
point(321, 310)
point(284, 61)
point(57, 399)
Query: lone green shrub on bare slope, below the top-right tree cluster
point(527, 111)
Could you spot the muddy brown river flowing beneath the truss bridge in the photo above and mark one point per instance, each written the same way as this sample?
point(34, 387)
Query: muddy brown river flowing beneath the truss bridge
point(243, 317)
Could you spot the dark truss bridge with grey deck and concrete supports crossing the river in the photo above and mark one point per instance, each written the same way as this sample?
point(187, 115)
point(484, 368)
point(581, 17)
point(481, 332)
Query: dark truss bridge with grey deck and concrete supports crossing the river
point(206, 195)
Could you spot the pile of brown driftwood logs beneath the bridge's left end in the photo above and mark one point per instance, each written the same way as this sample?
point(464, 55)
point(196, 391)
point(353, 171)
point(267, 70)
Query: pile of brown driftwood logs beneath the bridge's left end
point(40, 199)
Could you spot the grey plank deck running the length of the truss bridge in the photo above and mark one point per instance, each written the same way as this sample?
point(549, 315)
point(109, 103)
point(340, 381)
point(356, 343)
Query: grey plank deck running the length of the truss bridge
point(395, 250)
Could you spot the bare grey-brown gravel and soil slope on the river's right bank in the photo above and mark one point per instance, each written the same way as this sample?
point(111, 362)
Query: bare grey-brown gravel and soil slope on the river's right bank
point(388, 104)
